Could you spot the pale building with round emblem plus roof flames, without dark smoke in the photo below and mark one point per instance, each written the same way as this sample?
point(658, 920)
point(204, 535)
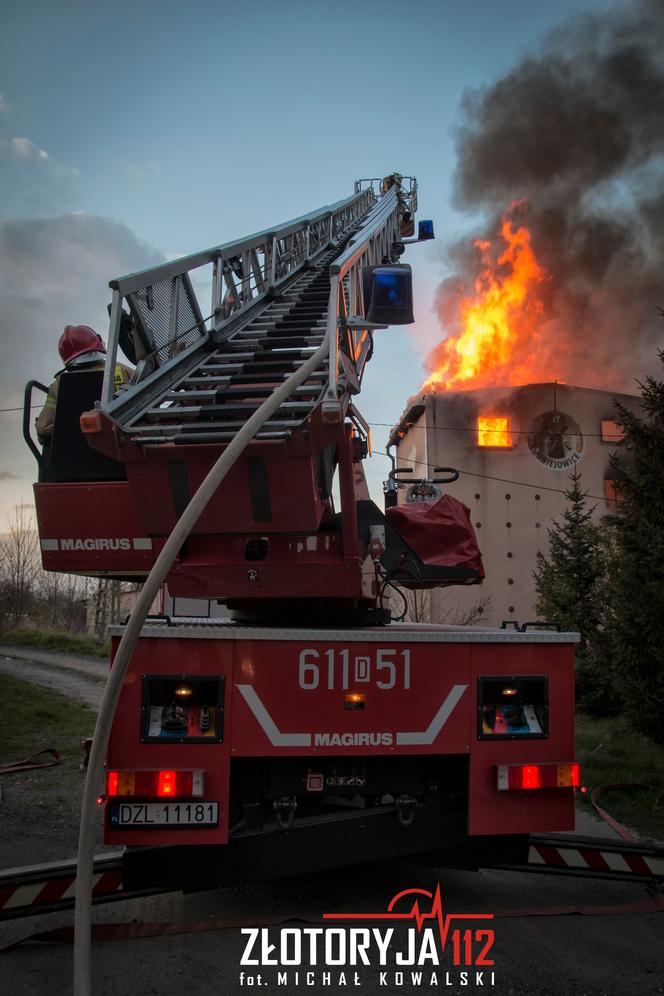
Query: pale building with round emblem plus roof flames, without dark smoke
point(491, 408)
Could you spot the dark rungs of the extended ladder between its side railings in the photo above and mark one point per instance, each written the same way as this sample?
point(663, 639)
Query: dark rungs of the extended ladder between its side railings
point(213, 400)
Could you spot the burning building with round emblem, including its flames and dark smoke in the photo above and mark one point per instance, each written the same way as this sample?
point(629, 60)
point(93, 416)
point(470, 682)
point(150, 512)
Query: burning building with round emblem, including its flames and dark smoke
point(560, 162)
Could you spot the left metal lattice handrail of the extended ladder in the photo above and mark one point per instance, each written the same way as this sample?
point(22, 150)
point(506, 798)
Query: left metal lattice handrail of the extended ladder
point(243, 273)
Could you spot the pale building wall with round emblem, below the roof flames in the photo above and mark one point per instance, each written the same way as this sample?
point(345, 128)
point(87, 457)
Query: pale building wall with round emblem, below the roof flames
point(513, 493)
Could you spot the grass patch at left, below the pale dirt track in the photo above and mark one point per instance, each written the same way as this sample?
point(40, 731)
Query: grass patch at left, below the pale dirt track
point(40, 718)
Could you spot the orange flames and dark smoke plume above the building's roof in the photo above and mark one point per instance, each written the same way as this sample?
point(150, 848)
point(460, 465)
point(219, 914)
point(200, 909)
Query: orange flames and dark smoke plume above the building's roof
point(567, 285)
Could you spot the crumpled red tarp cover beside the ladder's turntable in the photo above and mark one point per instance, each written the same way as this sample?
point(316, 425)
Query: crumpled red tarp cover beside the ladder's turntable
point(440, 533)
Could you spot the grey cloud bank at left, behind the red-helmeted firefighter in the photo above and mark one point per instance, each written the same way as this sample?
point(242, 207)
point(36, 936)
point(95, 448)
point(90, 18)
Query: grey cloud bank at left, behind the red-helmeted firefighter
point(53, 272)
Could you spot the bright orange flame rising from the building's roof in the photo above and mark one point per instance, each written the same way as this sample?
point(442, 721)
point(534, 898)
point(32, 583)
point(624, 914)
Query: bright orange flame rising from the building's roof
point(499, 324)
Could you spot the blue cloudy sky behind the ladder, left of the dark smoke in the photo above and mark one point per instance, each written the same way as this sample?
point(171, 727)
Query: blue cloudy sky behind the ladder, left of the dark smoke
point(139, 131)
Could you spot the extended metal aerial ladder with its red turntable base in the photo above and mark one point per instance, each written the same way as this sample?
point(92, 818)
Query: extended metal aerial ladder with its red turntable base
point(271, 535)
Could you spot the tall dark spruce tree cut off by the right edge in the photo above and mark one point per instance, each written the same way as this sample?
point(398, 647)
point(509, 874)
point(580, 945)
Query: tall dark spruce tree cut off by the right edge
point(636, 624)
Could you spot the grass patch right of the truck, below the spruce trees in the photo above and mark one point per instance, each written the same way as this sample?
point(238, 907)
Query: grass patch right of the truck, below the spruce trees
point(610, 751)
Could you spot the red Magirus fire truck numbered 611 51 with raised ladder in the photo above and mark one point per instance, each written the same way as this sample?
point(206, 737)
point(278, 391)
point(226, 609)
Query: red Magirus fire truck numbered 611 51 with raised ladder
point(307, 729)
